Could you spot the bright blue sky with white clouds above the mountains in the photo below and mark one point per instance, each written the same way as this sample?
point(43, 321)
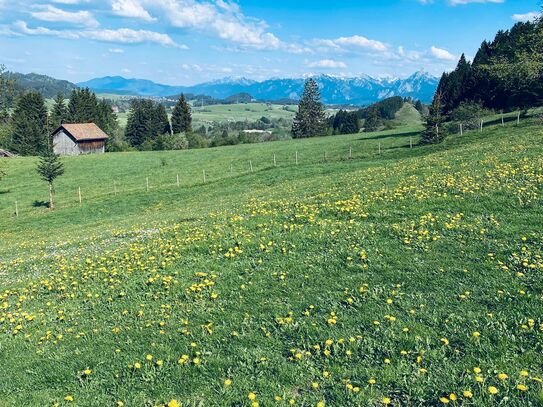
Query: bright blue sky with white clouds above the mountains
point(184, 42)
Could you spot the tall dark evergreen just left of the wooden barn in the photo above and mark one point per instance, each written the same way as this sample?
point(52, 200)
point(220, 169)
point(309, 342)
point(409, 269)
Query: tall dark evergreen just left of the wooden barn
point(29, 124)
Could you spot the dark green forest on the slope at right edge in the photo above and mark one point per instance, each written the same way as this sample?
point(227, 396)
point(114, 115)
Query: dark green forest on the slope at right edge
point(506, 74)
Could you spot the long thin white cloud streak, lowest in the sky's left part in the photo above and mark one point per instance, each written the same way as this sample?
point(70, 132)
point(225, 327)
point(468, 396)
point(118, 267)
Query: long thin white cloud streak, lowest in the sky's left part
point(121, 35)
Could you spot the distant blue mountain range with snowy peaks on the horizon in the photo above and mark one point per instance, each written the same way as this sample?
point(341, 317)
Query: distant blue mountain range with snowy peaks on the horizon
point(356, 91)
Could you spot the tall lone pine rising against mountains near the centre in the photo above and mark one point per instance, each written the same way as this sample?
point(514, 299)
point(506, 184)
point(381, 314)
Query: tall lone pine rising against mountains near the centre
point(310, 120)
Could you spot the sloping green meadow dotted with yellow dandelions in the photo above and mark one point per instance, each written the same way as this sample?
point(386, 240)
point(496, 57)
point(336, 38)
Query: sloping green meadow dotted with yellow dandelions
point(409, 277)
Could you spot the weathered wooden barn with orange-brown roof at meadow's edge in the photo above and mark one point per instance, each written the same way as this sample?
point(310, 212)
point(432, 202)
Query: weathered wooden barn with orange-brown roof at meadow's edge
point(79, 138)
